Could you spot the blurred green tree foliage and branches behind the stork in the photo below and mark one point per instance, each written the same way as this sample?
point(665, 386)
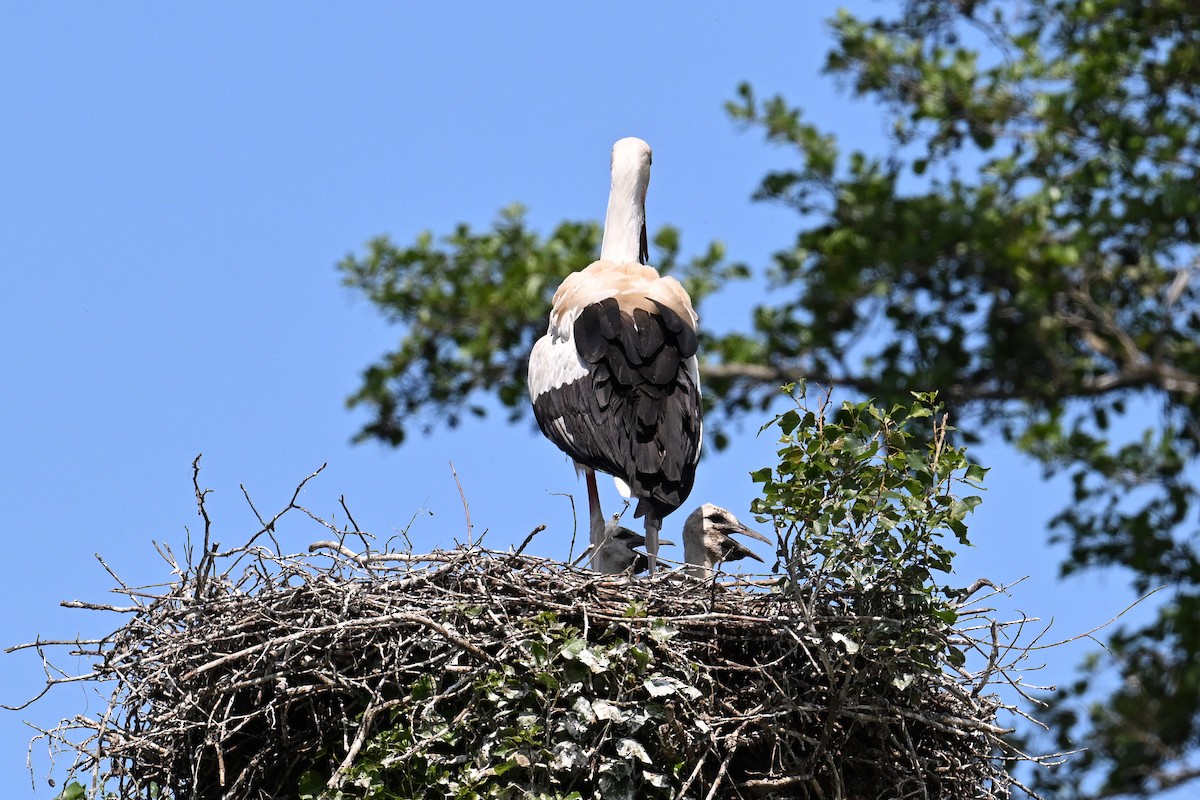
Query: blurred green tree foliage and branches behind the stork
point(1028, 245)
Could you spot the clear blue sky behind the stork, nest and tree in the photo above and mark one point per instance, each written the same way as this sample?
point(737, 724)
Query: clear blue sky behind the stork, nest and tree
point(177, 185)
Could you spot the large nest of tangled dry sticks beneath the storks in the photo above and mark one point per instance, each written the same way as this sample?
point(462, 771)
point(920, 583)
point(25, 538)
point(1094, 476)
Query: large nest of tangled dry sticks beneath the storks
point(256, 675)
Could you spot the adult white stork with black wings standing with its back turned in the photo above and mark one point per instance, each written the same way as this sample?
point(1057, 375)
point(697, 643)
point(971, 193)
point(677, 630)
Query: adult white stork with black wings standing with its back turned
point(615, 381)
